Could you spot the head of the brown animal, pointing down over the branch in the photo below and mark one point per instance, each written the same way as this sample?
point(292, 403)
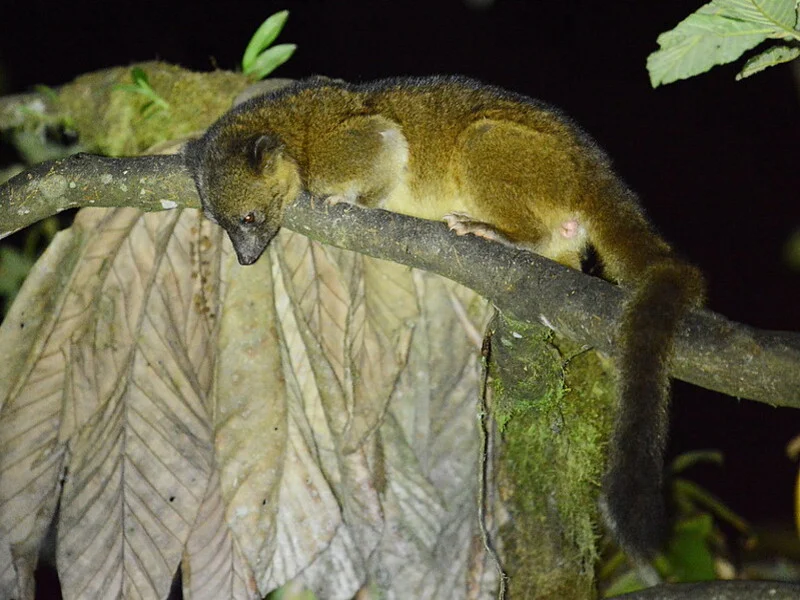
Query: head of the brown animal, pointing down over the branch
point(245, 181)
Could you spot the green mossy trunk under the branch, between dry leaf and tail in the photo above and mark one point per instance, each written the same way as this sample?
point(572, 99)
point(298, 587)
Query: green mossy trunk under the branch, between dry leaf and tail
point(553, 402)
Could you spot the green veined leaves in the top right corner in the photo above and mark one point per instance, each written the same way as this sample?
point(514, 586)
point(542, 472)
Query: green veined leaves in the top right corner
point(720, 32)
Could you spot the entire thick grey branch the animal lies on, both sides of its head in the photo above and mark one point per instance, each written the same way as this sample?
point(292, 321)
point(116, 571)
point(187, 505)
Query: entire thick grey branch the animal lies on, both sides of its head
point(710, 351)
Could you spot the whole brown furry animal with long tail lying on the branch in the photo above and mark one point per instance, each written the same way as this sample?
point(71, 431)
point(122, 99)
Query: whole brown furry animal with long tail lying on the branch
point(490, 163)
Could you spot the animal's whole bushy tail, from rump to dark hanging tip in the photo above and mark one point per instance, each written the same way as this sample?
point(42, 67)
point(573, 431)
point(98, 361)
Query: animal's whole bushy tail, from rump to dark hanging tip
point(664, 289)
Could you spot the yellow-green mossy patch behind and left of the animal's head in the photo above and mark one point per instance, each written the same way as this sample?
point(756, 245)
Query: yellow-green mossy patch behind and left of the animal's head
point(114, 121)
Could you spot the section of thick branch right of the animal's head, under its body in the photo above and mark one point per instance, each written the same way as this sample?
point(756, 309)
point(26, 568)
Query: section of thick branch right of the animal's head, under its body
point(710, 350)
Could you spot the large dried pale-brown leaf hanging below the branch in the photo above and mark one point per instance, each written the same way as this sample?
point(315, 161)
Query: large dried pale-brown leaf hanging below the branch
point(309, 418)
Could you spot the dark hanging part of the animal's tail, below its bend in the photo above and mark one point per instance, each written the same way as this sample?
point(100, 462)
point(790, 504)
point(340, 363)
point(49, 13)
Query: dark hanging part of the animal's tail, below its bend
point(633, 486)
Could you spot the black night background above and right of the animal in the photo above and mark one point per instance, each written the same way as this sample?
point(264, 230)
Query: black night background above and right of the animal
point(715, 161)
